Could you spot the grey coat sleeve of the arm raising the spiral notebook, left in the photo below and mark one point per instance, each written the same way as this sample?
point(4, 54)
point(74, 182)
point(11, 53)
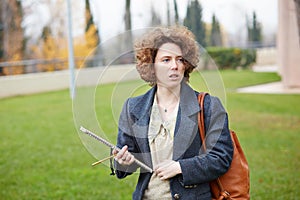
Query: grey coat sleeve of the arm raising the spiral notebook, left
point(125, 138)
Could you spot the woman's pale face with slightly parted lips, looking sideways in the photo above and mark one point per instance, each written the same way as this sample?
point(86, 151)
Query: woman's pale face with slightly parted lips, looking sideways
point(169, 65)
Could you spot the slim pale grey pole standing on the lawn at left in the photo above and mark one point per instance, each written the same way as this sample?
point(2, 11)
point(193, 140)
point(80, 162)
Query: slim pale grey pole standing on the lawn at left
point(71, 51)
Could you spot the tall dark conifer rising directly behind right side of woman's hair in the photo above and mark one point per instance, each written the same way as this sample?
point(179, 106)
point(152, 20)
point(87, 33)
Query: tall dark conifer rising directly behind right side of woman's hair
point(193, 21)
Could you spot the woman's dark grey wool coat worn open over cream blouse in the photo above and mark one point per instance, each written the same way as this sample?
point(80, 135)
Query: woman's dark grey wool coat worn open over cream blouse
point(198, 167)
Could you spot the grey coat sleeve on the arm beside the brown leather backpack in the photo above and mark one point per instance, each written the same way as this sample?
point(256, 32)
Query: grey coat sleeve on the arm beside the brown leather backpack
point(216, 160)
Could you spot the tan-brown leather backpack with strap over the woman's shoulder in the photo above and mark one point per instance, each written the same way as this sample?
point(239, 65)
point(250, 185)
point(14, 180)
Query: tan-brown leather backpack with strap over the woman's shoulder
point(235, 183)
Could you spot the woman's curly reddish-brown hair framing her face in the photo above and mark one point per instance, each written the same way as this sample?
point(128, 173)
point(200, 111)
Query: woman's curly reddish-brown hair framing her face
point(147, 46)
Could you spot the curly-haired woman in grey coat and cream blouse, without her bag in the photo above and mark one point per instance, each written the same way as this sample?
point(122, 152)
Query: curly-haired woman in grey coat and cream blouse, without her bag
point(160, 127)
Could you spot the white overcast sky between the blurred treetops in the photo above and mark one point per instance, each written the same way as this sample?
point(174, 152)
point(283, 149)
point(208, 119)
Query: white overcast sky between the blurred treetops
point(230, 13)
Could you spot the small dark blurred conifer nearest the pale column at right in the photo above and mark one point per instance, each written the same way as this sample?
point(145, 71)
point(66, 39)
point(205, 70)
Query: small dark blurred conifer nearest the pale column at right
point(254, 31)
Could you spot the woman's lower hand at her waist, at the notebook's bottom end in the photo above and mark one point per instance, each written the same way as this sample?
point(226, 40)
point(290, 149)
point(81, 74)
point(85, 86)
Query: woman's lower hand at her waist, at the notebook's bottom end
point(167, 169)
